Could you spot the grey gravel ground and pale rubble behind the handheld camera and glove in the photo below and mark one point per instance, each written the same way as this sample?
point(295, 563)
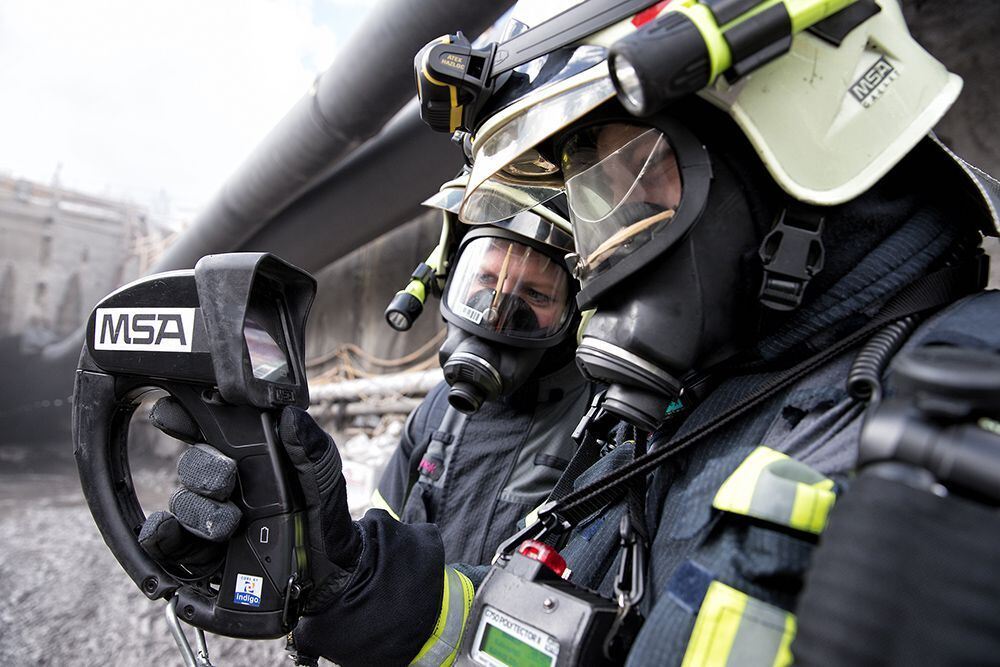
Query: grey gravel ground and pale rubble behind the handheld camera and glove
point(65, 600)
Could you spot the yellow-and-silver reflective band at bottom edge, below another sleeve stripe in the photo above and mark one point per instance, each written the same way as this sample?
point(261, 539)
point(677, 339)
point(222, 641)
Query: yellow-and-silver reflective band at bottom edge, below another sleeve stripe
point(734, 629)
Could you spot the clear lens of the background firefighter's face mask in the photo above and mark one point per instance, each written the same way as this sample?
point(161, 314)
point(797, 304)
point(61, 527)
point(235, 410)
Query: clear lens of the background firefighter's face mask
point(509, 288)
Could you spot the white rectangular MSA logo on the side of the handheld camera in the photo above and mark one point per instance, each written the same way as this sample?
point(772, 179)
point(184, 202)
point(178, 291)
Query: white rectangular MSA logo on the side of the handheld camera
point(144, 329)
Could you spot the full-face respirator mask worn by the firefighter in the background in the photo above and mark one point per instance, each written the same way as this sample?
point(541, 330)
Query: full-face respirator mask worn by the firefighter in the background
point(507, 303)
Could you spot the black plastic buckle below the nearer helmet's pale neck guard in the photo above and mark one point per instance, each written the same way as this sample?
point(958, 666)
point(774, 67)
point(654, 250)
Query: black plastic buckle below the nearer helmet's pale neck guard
point(793, 254)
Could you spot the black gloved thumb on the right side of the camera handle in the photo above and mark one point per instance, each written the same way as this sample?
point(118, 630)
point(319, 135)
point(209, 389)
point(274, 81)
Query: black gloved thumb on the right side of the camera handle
point(319, 468)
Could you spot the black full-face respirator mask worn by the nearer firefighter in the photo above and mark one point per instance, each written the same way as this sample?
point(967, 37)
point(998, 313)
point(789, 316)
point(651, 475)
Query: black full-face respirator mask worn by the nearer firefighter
point(662, 232)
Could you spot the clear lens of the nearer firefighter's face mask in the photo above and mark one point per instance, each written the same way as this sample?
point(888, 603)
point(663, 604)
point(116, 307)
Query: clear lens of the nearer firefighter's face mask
point(623, 185)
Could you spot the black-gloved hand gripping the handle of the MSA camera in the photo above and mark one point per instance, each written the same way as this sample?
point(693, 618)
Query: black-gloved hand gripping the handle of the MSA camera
point(201, 519)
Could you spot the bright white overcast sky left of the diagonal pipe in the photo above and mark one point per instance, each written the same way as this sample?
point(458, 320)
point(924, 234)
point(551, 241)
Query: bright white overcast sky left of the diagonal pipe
point(139, 97)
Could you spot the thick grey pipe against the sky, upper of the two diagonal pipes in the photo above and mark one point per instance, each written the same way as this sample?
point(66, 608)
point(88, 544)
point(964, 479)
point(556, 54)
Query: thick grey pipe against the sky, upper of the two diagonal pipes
point(371, 79)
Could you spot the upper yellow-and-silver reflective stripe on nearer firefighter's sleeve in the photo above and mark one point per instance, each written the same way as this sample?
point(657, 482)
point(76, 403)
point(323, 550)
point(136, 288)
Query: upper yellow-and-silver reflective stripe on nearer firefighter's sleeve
point(770, 486)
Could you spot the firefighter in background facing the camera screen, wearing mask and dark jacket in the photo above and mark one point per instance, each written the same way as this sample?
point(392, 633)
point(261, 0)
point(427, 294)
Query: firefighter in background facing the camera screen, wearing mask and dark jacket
point(484, 449)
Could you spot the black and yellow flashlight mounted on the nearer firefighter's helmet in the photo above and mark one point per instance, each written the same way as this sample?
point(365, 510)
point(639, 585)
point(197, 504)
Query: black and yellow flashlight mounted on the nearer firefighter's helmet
point(689, 45)
